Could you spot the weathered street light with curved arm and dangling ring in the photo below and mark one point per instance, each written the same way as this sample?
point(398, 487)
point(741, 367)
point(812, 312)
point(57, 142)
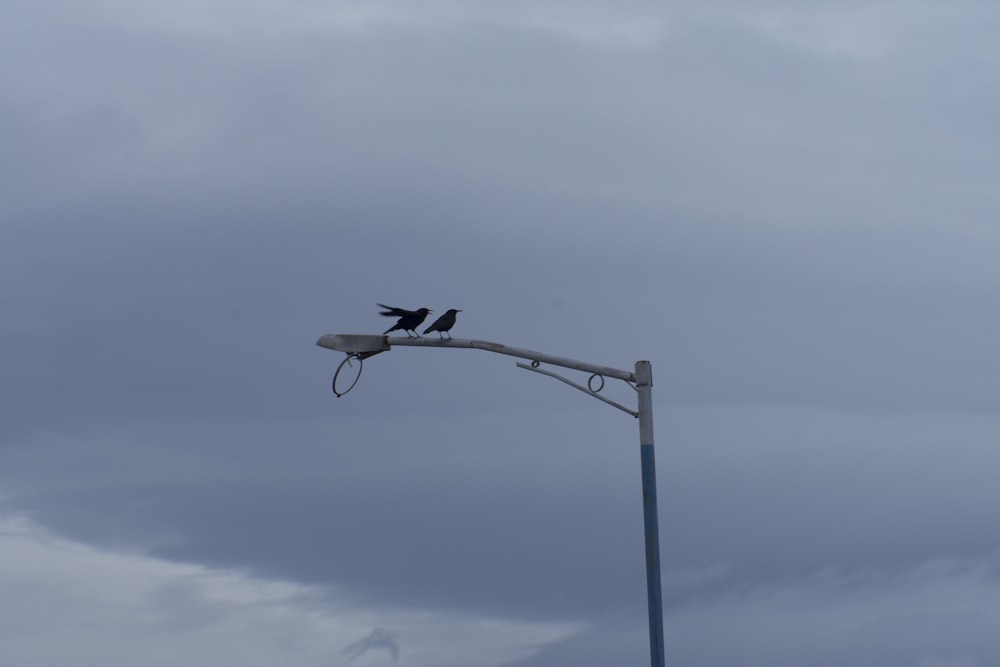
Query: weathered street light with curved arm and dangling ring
point(359, 347)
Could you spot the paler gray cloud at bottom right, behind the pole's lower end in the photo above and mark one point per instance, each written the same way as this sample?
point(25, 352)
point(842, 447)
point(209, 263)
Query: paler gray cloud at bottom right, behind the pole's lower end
point(934, 613)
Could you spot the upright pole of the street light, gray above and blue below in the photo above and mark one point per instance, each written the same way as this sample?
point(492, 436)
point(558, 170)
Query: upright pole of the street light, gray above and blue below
point(644, 386)
